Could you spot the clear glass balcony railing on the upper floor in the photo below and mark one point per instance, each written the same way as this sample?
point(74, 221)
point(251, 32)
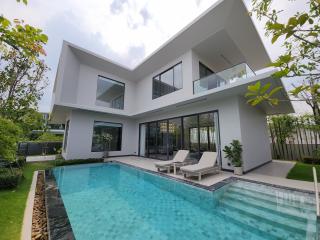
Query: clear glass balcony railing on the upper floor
point(225, 77)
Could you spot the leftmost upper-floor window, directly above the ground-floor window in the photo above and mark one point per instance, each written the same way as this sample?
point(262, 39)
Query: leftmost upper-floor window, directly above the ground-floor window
point(110, 93)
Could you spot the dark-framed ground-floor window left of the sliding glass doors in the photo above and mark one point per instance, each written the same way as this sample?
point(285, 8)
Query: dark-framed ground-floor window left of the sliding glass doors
point(103, 131)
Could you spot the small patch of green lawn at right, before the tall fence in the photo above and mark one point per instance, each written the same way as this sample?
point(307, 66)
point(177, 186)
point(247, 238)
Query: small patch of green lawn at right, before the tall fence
point(302, 171)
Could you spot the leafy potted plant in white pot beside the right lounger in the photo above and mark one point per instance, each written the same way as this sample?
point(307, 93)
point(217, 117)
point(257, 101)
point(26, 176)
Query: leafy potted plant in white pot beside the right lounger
point(234, 154)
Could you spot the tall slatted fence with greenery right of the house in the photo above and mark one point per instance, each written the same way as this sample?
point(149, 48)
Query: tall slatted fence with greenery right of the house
point(293, 138)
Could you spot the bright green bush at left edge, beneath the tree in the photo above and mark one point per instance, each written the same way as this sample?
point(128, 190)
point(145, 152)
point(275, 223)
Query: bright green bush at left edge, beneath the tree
point(9, 136)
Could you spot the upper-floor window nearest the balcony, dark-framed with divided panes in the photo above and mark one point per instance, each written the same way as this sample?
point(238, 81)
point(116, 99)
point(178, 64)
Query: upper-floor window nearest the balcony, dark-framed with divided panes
point(167, 81)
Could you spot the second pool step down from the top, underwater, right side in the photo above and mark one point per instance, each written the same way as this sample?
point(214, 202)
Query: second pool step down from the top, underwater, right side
point(275, 205)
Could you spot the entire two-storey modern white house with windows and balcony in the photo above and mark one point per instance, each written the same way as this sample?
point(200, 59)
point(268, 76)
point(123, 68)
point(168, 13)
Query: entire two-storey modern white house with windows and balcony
point(188, 94)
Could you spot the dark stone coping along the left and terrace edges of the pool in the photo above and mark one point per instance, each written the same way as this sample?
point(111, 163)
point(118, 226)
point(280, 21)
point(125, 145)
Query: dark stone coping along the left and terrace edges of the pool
point(59, 226)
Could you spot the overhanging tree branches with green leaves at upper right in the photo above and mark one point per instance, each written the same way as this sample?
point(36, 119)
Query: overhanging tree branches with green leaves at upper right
point(301, 35)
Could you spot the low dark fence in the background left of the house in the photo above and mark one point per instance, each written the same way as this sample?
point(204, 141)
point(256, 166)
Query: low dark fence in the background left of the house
point(38, 148)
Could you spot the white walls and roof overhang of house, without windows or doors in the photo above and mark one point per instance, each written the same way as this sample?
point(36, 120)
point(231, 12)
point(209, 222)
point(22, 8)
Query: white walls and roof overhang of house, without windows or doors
point(219, 45)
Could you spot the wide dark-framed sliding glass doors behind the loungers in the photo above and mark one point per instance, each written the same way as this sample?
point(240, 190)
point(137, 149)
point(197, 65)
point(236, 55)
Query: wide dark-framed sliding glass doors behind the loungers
point(197, 133)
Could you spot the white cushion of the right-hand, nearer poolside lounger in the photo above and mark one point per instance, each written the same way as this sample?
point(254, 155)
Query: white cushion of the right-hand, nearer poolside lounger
point(208, 160)
